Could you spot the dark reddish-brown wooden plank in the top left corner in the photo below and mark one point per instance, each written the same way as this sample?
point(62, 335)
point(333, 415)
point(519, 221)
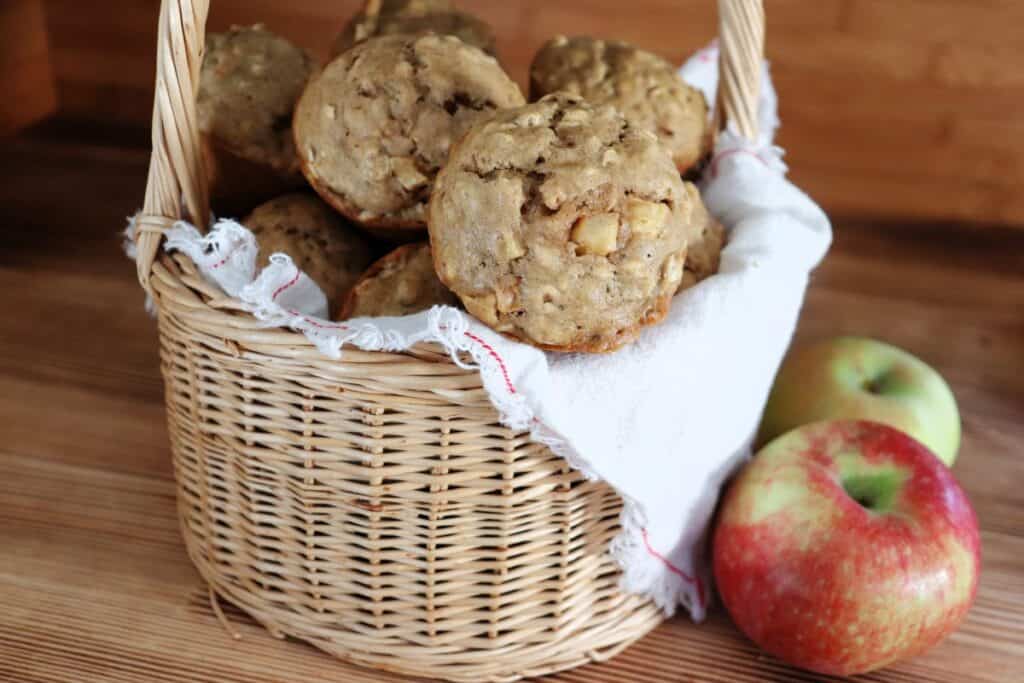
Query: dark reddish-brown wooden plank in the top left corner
point(26, 75)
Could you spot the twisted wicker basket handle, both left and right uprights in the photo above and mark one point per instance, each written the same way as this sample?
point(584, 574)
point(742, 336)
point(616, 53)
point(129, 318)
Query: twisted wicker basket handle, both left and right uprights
point(177, 174)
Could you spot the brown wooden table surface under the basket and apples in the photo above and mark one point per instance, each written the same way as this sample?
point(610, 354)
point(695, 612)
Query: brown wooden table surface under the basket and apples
point(95, 582)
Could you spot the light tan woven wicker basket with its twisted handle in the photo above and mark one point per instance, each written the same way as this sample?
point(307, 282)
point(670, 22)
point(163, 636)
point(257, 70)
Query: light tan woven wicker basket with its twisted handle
point(375, 507)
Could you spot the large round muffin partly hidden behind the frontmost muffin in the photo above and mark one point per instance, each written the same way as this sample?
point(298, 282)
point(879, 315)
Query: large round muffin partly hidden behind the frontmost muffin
point(375, 126)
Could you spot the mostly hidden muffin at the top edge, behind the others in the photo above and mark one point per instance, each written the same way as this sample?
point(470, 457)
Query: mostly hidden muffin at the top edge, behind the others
point(415, 18)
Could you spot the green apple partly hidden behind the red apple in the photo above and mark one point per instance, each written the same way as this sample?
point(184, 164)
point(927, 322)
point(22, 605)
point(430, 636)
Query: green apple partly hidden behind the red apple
point(864, 379)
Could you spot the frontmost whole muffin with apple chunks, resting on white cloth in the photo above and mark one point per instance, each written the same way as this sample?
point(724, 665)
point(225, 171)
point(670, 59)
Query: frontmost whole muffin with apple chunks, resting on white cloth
point(562, 225)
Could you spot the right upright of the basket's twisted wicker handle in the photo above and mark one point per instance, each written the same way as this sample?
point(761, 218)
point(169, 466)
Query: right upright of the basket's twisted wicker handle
point(742, 37)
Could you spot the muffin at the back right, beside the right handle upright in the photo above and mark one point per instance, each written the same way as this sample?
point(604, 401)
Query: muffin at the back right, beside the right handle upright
point(645, 88)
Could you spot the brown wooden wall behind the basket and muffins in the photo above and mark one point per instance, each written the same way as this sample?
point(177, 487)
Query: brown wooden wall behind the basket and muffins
point(905, 110)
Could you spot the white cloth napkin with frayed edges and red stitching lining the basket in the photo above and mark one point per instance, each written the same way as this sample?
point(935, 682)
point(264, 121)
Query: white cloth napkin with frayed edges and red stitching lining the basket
point(665, 420)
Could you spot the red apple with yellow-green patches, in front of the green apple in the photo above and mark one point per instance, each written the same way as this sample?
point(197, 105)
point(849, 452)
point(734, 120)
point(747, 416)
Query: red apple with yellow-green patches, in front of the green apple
point(845, 546)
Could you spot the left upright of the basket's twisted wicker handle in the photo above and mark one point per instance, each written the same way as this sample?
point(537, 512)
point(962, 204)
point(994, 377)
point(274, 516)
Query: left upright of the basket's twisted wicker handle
point(177, 174)
